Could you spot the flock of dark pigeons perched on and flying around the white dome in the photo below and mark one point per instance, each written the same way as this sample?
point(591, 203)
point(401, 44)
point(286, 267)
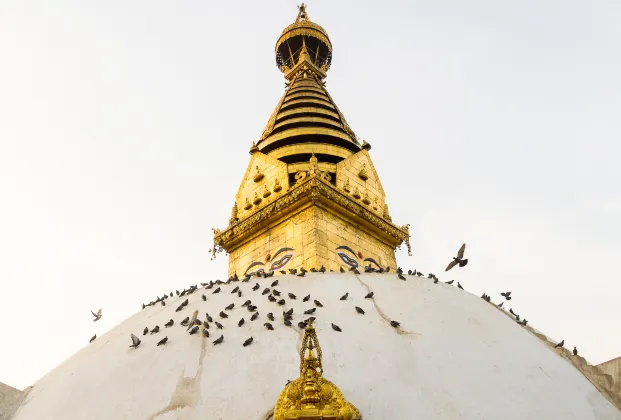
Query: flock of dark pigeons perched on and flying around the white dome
point(195, 326)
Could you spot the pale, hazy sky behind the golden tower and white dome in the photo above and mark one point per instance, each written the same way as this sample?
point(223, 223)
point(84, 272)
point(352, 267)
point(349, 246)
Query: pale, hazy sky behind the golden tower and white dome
point(125, 128)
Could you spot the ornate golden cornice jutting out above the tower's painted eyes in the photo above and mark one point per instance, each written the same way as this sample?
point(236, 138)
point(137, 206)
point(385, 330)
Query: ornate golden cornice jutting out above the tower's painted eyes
point(312, 189)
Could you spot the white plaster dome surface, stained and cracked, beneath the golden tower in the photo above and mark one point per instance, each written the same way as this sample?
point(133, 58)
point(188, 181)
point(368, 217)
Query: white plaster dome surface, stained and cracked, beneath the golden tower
point(457, 357)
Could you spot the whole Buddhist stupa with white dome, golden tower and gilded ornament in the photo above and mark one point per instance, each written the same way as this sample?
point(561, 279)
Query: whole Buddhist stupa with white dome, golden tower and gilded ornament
point(314, 322)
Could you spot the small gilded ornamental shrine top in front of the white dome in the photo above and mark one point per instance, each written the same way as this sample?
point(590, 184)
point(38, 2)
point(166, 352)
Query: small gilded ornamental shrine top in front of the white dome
point(311, 396)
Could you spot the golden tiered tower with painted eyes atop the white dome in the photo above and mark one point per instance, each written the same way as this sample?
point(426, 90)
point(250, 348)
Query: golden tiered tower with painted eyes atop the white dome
point(310, 196)
